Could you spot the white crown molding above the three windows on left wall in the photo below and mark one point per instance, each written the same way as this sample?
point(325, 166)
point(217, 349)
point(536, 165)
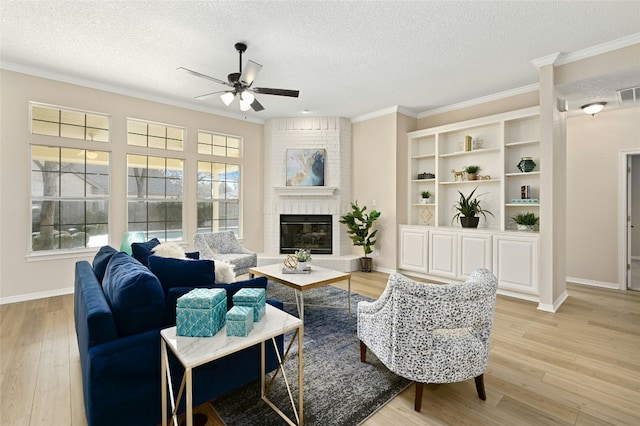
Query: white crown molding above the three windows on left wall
point(37, 72)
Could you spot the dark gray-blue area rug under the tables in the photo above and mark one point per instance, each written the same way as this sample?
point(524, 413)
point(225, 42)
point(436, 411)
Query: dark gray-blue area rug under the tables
point(338, 388)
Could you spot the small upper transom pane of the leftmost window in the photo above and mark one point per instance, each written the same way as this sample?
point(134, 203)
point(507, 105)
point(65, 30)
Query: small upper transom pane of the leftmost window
point(67, 123)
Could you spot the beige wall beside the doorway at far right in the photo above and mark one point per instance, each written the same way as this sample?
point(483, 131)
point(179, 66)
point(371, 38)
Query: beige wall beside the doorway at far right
point(593, 150)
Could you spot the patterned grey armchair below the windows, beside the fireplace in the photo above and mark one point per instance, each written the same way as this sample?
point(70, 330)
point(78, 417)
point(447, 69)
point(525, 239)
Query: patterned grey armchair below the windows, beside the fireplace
point(225, 247)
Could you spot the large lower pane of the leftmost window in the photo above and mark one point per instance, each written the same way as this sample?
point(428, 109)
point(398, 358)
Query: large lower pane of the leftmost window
point(69, 198)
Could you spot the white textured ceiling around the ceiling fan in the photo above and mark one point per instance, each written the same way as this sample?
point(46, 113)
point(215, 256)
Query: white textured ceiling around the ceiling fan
point(347, 58)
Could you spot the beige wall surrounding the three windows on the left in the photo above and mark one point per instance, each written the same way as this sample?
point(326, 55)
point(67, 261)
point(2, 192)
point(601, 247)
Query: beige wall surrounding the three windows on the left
point(24, 276)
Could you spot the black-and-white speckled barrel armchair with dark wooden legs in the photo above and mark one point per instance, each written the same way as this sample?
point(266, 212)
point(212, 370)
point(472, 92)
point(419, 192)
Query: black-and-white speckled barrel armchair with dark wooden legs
point(431, 333)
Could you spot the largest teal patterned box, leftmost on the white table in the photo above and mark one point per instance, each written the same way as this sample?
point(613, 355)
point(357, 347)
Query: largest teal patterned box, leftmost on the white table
point(201, 312)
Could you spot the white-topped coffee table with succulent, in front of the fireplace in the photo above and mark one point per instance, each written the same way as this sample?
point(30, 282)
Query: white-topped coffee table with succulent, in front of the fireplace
point(317, 277)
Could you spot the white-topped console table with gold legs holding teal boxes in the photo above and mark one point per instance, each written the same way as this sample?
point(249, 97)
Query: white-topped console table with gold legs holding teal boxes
point(195, 351)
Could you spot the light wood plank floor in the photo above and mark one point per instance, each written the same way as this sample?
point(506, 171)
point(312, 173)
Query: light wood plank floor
point(579, 366)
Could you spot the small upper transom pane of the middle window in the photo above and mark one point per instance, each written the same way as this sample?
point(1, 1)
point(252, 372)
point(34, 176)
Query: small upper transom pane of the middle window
point(155, 135)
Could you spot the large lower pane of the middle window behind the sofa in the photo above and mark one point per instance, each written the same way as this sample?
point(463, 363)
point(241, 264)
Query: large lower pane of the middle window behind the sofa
point(154, 196)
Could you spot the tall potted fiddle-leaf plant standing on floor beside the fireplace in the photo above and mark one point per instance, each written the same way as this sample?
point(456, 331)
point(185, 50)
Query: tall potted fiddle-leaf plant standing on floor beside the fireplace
point(359, 226)
